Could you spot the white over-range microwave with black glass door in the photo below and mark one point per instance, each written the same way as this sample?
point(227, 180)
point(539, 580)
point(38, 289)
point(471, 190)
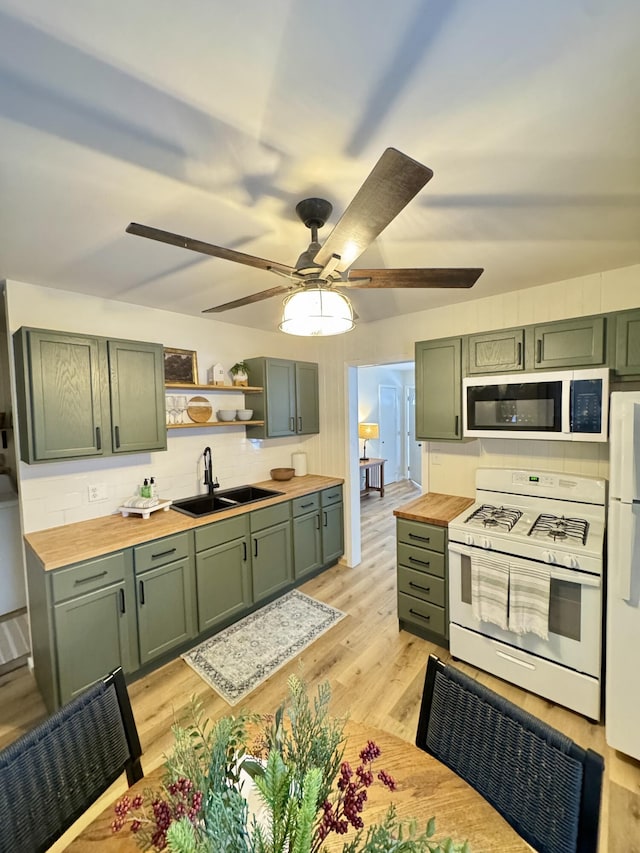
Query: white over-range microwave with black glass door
point(568, 405)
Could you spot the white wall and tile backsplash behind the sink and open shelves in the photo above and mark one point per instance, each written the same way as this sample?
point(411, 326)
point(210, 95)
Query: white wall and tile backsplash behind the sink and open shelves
point(57, 493)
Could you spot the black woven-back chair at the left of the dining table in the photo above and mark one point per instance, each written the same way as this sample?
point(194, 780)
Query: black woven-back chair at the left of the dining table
point(52, 774)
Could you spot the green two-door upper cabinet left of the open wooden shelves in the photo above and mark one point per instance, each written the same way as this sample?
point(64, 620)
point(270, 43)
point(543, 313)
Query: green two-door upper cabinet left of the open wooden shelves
point(81, 396)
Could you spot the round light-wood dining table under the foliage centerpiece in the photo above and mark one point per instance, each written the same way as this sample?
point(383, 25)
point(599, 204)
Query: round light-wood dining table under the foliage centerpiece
point(425, 788)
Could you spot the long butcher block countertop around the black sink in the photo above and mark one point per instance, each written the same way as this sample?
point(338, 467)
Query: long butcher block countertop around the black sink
point(72, 543)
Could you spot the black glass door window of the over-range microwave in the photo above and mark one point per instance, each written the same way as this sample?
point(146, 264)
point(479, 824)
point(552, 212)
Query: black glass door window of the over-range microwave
point(516, 406)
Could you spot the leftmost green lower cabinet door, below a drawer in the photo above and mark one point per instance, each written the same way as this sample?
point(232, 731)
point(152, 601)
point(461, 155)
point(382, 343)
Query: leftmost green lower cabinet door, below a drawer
point(94, 633)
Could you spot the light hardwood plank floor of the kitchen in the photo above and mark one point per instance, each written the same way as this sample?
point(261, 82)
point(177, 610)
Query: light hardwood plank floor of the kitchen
point(375, 671)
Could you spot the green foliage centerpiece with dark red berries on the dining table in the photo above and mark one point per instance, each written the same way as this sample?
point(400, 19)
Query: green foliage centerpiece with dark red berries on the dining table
point(273, 784)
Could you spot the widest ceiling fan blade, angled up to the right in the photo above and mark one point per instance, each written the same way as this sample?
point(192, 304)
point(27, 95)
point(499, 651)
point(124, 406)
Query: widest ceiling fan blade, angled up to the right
point(389, 187)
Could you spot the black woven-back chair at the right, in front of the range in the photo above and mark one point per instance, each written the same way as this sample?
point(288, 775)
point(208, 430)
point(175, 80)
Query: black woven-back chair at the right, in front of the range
point(543, 784)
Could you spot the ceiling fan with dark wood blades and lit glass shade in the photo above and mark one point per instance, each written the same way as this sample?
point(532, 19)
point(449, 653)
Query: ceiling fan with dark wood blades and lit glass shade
point(389, 187)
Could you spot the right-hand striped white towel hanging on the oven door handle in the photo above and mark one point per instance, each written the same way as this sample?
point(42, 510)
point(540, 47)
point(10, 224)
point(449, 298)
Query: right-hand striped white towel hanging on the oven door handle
point(529, 599)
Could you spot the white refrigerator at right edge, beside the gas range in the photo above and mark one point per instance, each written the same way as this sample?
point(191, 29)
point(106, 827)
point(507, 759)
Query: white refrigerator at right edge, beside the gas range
point(622, 708)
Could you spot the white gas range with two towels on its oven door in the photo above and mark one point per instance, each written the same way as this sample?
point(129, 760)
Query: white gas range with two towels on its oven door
point(541, 532)
